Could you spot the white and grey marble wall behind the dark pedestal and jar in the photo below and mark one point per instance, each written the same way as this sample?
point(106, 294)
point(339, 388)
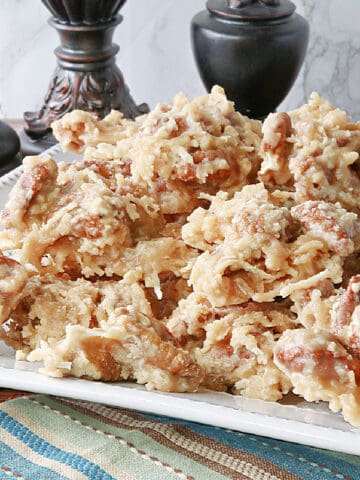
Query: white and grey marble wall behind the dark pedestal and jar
point(156, 56)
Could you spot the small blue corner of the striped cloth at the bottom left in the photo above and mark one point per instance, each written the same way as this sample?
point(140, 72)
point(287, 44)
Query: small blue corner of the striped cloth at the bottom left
point(14, 465)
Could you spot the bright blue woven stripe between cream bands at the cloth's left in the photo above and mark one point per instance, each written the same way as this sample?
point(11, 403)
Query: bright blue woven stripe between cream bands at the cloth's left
point(49, 451)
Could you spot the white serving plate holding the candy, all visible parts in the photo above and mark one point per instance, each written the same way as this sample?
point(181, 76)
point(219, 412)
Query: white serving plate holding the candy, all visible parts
point(293, 420)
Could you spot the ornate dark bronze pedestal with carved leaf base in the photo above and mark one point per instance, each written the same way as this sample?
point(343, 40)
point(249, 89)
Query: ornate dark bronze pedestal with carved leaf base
point(86, 76)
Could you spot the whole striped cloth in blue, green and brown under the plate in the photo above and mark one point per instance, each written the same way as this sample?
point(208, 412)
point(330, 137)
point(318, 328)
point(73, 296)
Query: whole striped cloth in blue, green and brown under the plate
point(51, 438)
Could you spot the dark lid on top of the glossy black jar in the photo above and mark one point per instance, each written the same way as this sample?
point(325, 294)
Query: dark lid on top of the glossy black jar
point(251, 10)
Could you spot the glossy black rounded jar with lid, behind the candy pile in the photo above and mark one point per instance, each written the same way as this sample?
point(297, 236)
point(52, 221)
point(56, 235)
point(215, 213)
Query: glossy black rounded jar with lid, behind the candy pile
point(254, 49)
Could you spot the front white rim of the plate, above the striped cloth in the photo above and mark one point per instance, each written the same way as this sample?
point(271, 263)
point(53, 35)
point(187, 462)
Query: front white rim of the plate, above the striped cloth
point(184, 409)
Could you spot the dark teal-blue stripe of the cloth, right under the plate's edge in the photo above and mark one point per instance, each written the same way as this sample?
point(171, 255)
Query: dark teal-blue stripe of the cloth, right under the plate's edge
point(308, 463)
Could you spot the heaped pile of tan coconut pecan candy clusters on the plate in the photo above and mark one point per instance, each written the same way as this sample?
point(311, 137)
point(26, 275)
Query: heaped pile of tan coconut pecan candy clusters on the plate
point(192, 248)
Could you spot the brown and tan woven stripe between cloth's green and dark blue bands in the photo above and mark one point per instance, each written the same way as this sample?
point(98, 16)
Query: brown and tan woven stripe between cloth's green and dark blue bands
point(207, 451)
